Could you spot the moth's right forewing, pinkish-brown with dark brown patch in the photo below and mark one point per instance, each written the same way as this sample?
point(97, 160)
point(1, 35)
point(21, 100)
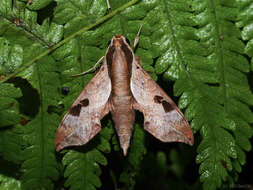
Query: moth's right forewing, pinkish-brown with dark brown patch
point(162, 118)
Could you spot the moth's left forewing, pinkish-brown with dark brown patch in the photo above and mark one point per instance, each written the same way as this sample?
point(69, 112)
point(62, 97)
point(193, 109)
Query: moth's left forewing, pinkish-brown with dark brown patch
point(82, 122)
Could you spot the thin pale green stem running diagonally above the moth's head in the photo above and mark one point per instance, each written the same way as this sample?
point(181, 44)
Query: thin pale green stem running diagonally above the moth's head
point(78, 33)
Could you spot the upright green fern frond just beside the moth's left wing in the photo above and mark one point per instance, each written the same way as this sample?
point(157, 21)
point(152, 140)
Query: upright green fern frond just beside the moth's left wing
point(40, 166)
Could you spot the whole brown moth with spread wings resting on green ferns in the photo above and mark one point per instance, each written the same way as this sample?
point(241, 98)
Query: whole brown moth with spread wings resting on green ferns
point(121, 86)
